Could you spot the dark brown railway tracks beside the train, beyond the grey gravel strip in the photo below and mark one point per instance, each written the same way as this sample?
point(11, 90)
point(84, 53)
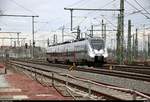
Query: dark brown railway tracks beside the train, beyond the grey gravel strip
point(124, 71)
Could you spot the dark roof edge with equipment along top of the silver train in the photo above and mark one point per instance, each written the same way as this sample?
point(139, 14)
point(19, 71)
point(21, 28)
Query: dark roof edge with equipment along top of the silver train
point(77, 40)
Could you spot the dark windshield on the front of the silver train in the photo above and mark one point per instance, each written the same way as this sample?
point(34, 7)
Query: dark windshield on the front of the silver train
point(97, 44)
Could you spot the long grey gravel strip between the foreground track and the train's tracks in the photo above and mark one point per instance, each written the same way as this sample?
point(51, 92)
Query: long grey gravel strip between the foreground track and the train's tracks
point(138, 85)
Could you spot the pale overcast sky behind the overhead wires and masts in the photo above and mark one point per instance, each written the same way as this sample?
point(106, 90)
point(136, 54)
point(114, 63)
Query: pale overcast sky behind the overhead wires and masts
point(52, 15)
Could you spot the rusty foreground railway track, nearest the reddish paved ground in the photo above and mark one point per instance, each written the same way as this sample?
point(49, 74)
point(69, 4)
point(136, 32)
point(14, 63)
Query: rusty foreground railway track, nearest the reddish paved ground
point(109, 91)
